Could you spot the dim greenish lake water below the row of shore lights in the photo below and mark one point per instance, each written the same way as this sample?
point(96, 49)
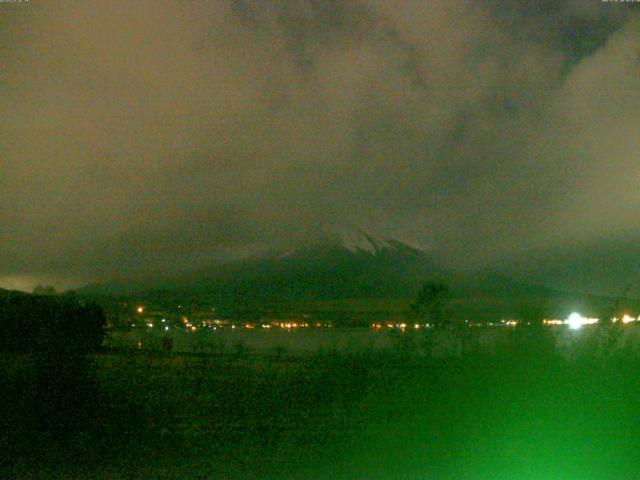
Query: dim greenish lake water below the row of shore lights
point(310, 341)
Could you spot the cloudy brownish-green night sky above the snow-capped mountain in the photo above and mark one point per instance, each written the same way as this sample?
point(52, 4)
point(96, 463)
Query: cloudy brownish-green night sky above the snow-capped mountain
point(144, 136)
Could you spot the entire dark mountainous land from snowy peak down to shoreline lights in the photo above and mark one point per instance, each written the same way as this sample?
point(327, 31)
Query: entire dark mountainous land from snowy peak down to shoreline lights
point(356, 272)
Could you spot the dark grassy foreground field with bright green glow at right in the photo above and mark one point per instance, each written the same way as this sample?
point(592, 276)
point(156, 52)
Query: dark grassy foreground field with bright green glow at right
point(523, 410)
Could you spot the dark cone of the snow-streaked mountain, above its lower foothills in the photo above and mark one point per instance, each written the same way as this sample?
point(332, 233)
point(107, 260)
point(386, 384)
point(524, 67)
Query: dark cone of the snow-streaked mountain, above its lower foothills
point(348, 264)
